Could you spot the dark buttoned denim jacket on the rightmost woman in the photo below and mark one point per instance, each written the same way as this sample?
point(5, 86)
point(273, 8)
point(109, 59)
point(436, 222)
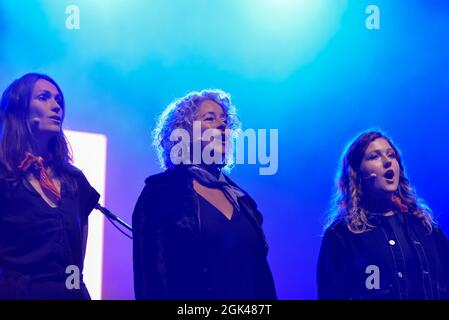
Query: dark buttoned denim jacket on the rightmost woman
point(346, 261)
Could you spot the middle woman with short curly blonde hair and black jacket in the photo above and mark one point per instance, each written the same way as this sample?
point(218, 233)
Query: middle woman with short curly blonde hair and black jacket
point(197, 235)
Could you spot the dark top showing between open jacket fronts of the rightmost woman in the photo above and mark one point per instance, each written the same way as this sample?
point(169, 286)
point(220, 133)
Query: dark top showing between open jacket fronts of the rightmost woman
point(414, 284)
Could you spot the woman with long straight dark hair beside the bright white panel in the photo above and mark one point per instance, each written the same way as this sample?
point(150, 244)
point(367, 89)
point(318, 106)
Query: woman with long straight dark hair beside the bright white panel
point(44, 200)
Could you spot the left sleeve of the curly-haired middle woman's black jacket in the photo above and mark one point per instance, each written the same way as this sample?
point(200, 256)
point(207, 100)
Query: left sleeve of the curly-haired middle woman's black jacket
point(148, 247)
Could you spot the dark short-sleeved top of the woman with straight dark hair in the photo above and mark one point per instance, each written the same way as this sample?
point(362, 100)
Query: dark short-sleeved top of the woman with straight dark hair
point(38, 242)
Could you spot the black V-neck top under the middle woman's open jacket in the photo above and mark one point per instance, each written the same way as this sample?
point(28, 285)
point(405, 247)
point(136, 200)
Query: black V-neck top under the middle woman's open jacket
point(233, 253)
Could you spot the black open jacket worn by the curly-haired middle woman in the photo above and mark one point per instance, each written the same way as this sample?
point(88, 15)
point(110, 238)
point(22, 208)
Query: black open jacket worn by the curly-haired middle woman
point(168, 253)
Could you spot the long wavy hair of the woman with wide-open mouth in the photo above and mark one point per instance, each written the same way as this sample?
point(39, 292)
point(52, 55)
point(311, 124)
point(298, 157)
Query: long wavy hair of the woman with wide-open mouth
point(348, 201)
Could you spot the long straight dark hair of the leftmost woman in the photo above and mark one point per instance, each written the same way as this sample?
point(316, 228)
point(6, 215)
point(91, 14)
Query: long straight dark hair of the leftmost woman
point(16, 137)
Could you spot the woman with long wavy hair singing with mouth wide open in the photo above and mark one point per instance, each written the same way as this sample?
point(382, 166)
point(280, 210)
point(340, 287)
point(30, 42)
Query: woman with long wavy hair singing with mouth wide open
point(381, 241)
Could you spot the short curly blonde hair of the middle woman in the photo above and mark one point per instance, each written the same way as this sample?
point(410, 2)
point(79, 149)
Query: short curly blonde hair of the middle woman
point(182, 112)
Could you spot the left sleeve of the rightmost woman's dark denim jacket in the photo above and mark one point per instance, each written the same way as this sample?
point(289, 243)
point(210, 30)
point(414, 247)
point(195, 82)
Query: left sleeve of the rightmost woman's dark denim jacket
point(332, 267)
